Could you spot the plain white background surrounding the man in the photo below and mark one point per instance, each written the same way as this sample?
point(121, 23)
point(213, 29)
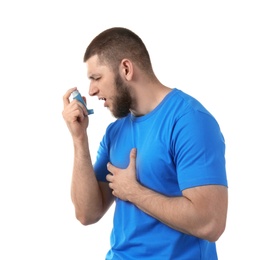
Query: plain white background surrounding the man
point(209, 49)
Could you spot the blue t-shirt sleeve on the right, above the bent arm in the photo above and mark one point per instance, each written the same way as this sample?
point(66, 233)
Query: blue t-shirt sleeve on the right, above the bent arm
point(200, 151)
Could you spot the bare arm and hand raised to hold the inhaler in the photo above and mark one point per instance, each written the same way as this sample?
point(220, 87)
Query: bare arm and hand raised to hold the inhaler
point(90, 198)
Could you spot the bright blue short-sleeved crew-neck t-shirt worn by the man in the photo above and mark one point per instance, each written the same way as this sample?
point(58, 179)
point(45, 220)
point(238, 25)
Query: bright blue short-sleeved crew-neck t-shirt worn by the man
point(179, 146)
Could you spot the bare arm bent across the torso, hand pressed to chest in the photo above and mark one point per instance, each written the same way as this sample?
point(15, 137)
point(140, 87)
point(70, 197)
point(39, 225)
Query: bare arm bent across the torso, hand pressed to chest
point(200, 211)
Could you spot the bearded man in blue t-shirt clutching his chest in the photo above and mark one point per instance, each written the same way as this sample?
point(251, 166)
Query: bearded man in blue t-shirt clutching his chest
point(162, 161)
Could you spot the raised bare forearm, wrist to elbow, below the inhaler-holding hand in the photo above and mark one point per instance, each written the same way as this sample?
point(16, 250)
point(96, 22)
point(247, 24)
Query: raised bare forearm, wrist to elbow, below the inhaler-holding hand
point(85, 191)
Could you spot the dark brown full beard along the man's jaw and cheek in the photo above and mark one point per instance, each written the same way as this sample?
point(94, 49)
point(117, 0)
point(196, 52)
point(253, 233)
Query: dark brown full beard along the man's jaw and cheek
point(122, 101)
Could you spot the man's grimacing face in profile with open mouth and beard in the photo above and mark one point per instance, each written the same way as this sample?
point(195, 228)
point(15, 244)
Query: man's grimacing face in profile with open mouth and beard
point(109, 87)
